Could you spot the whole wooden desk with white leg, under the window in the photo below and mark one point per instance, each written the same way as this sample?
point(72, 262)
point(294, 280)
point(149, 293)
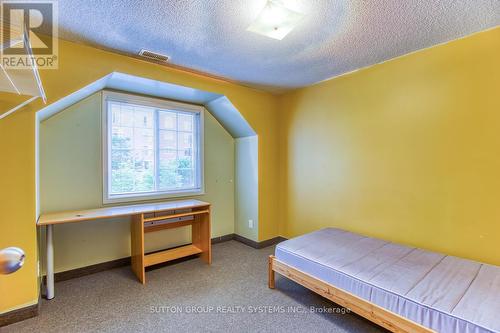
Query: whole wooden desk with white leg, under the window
point(145, 218)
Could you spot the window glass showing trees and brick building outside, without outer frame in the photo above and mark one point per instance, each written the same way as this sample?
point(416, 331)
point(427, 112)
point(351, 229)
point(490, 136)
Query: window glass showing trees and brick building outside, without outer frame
point(151, 150)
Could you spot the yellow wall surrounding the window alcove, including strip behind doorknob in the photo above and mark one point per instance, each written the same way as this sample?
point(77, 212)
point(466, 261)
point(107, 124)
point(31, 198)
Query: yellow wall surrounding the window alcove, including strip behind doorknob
point(79, 66)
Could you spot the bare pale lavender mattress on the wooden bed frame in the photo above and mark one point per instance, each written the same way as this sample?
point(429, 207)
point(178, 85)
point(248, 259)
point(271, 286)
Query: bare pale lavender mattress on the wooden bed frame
point(443, 293)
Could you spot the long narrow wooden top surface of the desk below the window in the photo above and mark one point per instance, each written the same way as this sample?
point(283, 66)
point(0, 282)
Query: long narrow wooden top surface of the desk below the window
point(116, 211)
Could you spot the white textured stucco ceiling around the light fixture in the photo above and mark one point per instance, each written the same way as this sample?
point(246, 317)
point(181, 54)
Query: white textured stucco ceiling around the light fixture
point(335, 37)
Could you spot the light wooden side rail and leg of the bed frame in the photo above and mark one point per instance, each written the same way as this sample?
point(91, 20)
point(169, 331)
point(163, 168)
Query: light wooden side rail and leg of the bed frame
point(380, 316)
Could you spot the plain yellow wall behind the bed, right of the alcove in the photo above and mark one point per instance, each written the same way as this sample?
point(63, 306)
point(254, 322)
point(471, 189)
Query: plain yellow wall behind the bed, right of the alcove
point(408, 150)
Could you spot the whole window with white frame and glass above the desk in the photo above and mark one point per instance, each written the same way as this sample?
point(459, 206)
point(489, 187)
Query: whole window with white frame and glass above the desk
point(151, 148)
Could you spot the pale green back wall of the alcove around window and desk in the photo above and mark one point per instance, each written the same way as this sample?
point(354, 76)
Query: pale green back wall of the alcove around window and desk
point(70, 178)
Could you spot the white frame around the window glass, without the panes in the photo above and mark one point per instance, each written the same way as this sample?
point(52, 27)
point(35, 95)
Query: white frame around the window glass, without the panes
point(106, 151)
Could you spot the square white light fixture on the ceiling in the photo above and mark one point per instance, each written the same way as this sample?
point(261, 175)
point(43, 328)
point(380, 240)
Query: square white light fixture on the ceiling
point(275, 20)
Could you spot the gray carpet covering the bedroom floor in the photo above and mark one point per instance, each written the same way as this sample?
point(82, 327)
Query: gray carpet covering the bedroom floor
point(231, 294)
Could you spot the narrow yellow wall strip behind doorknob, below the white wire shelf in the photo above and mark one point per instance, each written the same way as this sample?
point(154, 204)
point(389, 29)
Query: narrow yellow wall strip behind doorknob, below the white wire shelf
point(17, 207)
